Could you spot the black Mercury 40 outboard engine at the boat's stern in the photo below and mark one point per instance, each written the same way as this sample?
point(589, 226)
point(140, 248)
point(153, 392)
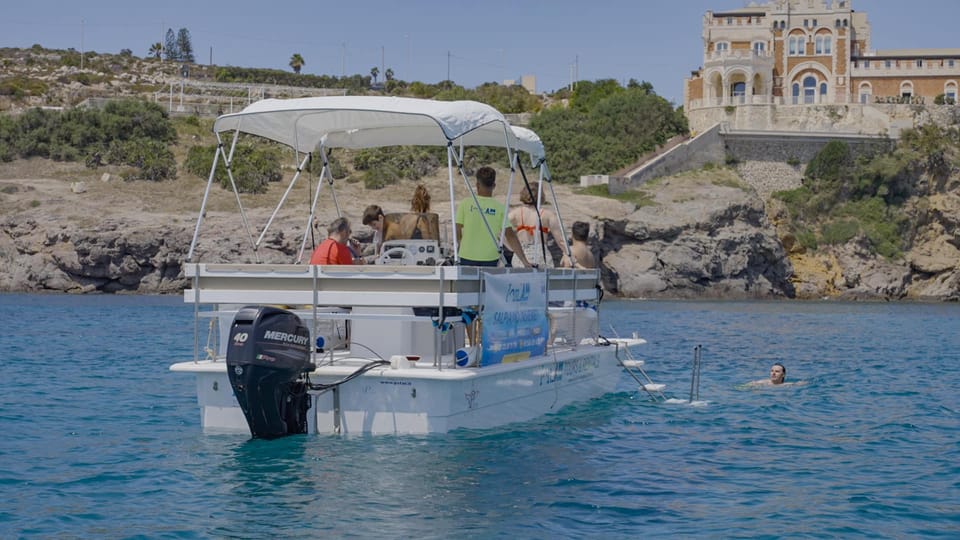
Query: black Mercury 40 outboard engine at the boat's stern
point(267, 354)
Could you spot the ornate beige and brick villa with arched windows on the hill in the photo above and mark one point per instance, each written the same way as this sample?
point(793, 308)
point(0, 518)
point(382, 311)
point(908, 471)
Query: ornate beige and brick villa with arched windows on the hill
point(789, 53)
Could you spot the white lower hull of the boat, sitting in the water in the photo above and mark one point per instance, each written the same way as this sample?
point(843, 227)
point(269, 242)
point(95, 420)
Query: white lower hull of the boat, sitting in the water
point(424, 399)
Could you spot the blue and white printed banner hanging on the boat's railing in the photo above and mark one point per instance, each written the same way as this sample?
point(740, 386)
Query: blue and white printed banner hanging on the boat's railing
point(515, 325)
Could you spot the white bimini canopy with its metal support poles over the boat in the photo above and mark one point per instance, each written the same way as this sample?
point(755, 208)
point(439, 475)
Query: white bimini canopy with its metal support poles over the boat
point(308, 125)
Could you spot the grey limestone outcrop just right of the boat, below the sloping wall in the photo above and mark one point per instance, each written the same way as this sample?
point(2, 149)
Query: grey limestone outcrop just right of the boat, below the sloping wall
point(701, 239)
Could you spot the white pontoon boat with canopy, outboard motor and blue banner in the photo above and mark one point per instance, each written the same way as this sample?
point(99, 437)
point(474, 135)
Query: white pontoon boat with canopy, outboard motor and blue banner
point(381, 348)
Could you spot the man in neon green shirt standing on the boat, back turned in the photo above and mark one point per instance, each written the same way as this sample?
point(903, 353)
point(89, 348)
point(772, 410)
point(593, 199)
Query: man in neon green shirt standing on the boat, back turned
point(477, 248)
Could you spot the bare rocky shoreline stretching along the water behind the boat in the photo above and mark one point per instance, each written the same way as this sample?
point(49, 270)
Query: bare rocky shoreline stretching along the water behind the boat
point(708, 234)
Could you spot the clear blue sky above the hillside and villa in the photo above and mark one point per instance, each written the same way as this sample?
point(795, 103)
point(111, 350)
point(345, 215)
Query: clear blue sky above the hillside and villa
point(487, 40)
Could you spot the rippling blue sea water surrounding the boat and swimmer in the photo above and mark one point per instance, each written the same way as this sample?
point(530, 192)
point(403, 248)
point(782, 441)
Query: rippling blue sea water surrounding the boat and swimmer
point(100, 440)
